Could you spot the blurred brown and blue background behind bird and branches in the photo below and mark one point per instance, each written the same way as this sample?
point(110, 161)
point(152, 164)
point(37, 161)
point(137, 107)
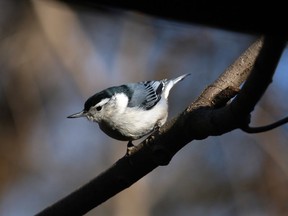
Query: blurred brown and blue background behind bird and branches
point(53, 57)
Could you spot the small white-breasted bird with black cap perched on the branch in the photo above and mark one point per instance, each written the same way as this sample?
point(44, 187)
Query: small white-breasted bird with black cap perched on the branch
point(130, 111)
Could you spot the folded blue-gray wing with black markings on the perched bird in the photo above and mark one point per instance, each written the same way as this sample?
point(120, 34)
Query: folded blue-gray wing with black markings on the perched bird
point(146, 94)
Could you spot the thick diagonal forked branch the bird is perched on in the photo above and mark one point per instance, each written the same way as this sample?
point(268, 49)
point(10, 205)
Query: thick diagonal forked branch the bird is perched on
point(208, 115)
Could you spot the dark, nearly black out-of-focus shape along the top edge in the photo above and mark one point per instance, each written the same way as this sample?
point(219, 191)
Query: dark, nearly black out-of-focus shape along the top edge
point(197, 12)
